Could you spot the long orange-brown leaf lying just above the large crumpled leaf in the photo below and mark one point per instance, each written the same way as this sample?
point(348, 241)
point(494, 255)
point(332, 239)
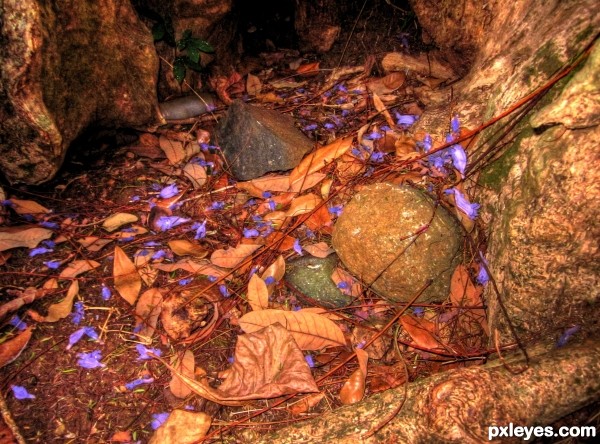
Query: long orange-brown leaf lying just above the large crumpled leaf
point(311, 331)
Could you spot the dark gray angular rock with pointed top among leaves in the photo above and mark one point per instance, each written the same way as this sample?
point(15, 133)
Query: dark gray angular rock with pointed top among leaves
point(256, 141)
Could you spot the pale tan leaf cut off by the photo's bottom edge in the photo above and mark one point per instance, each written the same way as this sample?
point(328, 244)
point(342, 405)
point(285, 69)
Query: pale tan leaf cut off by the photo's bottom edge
point(182, 427)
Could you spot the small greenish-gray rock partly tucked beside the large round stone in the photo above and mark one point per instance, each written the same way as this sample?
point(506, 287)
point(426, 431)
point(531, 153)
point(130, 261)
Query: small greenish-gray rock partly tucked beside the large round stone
point(312, 276)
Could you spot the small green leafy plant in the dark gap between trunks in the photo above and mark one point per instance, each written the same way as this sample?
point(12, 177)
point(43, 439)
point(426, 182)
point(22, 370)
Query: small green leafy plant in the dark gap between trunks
point(189, 48)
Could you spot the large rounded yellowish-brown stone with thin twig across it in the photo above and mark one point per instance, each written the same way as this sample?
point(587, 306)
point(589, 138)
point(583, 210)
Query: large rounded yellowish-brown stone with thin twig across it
point(374, 238)
